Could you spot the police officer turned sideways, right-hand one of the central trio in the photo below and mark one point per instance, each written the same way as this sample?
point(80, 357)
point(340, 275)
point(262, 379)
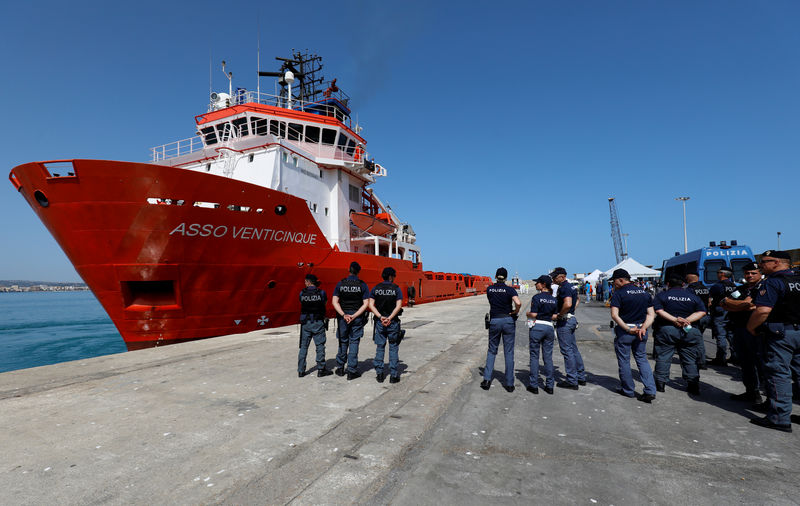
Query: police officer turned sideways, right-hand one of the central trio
point(567, 298)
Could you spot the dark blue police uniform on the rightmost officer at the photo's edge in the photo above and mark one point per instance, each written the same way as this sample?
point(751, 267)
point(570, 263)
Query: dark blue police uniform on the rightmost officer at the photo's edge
point(781, 339)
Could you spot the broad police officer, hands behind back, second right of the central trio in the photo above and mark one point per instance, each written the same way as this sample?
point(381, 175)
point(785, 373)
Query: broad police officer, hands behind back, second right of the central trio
point(678, 312)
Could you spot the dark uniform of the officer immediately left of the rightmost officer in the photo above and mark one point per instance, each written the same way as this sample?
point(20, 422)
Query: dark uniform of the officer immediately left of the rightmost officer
point(747, 345)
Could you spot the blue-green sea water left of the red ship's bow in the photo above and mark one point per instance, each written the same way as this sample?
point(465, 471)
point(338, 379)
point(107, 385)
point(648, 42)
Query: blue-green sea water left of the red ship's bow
point(40, 328)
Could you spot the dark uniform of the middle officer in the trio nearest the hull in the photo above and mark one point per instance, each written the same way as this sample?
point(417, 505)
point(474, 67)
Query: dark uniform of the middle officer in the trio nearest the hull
point(351, 292)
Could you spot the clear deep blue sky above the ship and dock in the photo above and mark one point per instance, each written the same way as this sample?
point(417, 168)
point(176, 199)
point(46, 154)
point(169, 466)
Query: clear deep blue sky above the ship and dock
point(504, 129)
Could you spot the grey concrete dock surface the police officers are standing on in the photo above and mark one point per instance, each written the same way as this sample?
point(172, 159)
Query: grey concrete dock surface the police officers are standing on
point(227, 421)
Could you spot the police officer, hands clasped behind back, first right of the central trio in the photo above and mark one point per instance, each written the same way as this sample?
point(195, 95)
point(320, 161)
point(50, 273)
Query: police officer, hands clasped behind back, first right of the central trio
point(632, 311)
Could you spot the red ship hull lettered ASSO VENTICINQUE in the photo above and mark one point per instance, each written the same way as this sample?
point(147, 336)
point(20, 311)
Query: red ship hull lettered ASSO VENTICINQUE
point(169, 270)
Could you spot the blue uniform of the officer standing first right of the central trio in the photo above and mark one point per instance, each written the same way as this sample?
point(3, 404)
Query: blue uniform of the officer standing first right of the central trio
point(632, 303)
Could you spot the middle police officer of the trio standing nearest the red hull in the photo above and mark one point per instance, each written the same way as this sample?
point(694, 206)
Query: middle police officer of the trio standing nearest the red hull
point(350, 300)
